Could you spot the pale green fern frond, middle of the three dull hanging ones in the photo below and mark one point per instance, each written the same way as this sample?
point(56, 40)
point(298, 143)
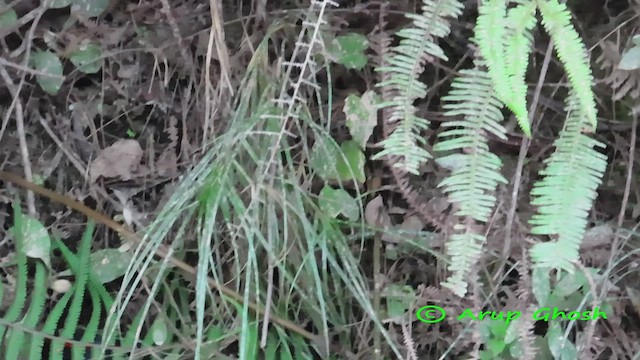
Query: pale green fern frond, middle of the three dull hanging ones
point(472, 183)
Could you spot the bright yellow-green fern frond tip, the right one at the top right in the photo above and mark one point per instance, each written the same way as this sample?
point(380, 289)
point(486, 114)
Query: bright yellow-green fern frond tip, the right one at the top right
point(556, 20)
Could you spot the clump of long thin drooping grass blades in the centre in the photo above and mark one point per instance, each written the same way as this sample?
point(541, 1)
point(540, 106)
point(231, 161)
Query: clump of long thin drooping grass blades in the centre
point(258, 229)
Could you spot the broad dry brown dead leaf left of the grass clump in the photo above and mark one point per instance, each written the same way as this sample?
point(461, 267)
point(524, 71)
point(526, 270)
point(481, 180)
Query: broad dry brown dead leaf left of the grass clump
point(118, 160)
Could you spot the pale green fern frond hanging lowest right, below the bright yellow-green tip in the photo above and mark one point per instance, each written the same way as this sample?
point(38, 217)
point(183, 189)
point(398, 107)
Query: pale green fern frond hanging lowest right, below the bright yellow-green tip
point(567, 191)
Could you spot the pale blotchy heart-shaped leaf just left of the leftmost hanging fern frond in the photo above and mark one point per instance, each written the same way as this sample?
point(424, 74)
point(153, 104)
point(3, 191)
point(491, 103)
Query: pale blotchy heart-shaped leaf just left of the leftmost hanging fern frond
point(362, 116)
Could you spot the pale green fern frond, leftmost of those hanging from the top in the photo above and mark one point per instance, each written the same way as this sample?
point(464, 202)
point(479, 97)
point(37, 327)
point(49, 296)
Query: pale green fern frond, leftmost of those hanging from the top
point(403, 68)
